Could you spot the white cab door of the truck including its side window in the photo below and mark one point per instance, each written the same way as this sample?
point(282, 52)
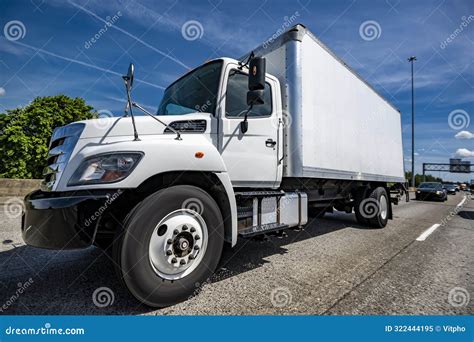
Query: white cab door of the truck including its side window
point(252, 158)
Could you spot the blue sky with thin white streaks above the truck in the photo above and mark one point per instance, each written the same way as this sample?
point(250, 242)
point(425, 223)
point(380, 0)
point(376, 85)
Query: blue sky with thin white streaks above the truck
point(46, 49)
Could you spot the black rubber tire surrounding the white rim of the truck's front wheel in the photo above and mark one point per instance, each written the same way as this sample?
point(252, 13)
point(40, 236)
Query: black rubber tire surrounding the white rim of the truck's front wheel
point(131, 247)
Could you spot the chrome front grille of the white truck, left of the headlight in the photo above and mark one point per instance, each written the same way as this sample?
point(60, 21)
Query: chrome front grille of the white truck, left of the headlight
point(62, 144)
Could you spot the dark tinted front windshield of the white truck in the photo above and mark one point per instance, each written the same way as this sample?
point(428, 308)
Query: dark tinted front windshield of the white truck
point(194, 92)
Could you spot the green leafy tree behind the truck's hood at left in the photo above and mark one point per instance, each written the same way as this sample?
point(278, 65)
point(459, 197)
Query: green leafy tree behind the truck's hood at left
point(25, 133)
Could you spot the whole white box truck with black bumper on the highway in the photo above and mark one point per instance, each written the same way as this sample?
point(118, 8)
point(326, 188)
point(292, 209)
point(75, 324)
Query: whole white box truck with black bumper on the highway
point(237, 148)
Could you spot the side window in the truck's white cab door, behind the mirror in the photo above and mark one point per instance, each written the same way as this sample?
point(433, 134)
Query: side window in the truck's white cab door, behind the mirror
point(236, 97)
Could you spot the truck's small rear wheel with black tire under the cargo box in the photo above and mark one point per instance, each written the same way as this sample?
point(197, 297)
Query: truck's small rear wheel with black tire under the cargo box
point(377, 217)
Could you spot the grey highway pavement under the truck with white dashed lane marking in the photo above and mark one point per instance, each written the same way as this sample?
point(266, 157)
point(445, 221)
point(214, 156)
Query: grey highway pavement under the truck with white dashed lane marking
point(422, 263)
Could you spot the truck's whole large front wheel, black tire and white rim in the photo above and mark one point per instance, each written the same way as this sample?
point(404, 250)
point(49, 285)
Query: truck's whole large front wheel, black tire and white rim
point(171, 243)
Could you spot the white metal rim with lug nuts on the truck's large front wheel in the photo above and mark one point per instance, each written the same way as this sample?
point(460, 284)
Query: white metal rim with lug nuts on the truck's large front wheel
point(178, 244)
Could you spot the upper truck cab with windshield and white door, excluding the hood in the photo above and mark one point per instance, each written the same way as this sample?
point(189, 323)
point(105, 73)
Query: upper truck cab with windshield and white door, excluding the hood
point(220, 88)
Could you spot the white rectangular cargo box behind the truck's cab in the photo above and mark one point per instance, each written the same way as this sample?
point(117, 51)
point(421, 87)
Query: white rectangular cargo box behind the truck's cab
point(337, 125)
